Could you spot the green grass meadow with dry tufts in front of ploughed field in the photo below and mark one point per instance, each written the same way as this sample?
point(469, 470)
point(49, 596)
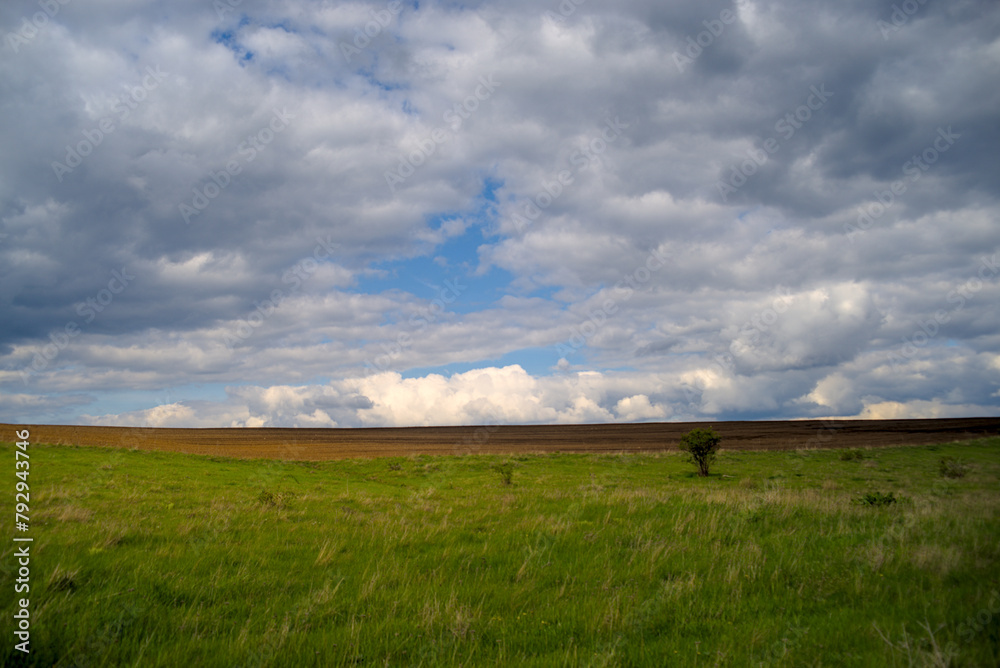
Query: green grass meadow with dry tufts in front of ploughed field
point(156, 559)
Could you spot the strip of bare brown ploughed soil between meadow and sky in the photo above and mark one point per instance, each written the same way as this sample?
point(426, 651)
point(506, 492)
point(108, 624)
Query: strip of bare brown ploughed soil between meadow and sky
point(322, 444)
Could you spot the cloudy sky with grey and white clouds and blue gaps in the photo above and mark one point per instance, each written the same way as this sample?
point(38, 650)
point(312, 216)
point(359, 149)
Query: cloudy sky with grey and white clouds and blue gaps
point(291, 213)
